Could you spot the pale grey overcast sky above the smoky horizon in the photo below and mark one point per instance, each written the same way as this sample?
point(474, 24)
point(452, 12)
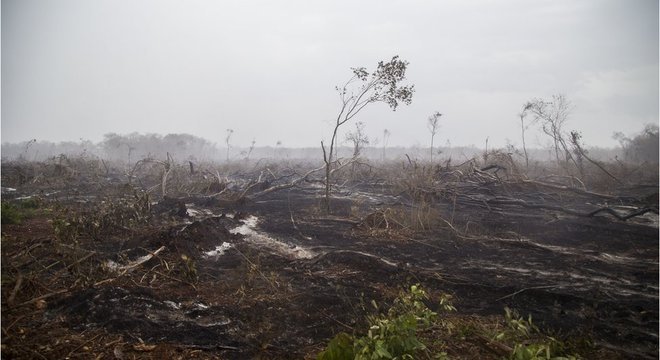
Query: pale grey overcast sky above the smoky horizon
point(76, 69)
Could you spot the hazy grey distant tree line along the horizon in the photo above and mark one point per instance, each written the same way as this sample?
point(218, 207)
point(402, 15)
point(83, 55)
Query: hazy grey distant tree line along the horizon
point(634, 148)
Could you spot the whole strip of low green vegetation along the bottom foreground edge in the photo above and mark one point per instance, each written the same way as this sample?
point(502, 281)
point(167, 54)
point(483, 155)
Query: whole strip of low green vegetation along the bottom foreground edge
point(410, 330)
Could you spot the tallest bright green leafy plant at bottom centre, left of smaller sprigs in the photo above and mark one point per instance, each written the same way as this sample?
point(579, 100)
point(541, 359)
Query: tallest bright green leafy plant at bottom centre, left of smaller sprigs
point(392, 335)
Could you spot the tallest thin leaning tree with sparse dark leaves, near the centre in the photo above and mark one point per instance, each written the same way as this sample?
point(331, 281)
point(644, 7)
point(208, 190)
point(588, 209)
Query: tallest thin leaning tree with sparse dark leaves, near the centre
point(362, 89)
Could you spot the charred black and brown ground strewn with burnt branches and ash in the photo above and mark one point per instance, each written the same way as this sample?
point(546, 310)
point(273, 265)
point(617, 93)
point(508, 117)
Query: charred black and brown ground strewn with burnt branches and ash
point(275, 277)
